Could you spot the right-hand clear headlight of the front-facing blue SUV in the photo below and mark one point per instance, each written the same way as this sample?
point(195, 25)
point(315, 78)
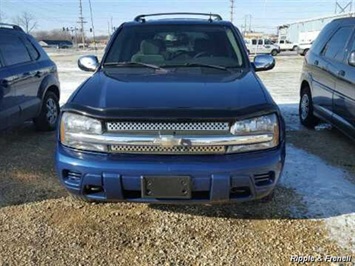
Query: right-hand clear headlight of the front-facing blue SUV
point(260, 133)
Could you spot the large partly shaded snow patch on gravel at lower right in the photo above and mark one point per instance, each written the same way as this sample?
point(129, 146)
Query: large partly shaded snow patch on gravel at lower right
point(325, 191)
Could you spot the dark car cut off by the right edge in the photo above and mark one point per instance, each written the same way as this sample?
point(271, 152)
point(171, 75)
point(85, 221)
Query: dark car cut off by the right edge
point(328, 78)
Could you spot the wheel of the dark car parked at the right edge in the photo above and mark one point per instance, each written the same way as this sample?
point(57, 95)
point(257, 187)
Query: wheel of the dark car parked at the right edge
point(306, 115)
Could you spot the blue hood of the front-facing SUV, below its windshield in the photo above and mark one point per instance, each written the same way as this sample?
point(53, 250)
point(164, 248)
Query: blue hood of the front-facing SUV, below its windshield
point(110, 95)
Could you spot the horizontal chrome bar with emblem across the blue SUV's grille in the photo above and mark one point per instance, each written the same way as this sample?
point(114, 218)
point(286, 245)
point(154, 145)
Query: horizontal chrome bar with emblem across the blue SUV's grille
point(170, 140)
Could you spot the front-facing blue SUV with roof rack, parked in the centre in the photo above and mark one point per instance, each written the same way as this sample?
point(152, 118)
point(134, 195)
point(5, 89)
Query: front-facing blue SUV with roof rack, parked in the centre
point(174, 113)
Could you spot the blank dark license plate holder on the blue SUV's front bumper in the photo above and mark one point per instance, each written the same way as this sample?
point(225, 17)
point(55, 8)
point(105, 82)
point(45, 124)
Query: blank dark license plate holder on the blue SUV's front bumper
point(168, 187)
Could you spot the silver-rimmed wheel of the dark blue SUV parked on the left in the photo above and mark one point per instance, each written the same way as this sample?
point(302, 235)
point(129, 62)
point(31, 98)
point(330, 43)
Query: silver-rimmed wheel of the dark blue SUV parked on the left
point(48, 117)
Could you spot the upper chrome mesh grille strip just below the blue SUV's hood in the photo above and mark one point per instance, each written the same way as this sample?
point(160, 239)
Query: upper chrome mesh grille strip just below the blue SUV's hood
point(167, 126)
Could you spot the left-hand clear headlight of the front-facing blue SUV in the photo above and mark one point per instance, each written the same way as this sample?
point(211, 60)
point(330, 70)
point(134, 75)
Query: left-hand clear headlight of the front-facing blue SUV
point(72, 125)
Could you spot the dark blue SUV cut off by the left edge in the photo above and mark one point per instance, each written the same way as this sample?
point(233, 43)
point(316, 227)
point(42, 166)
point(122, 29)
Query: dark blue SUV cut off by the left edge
point(29, 86)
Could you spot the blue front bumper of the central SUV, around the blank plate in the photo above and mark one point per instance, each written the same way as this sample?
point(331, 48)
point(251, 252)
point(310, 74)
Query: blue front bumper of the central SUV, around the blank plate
point(215, 178)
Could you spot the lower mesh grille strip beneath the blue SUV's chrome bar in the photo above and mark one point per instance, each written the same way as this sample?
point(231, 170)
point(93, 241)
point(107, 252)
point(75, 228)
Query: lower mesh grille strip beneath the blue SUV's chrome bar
point(168, 150)
